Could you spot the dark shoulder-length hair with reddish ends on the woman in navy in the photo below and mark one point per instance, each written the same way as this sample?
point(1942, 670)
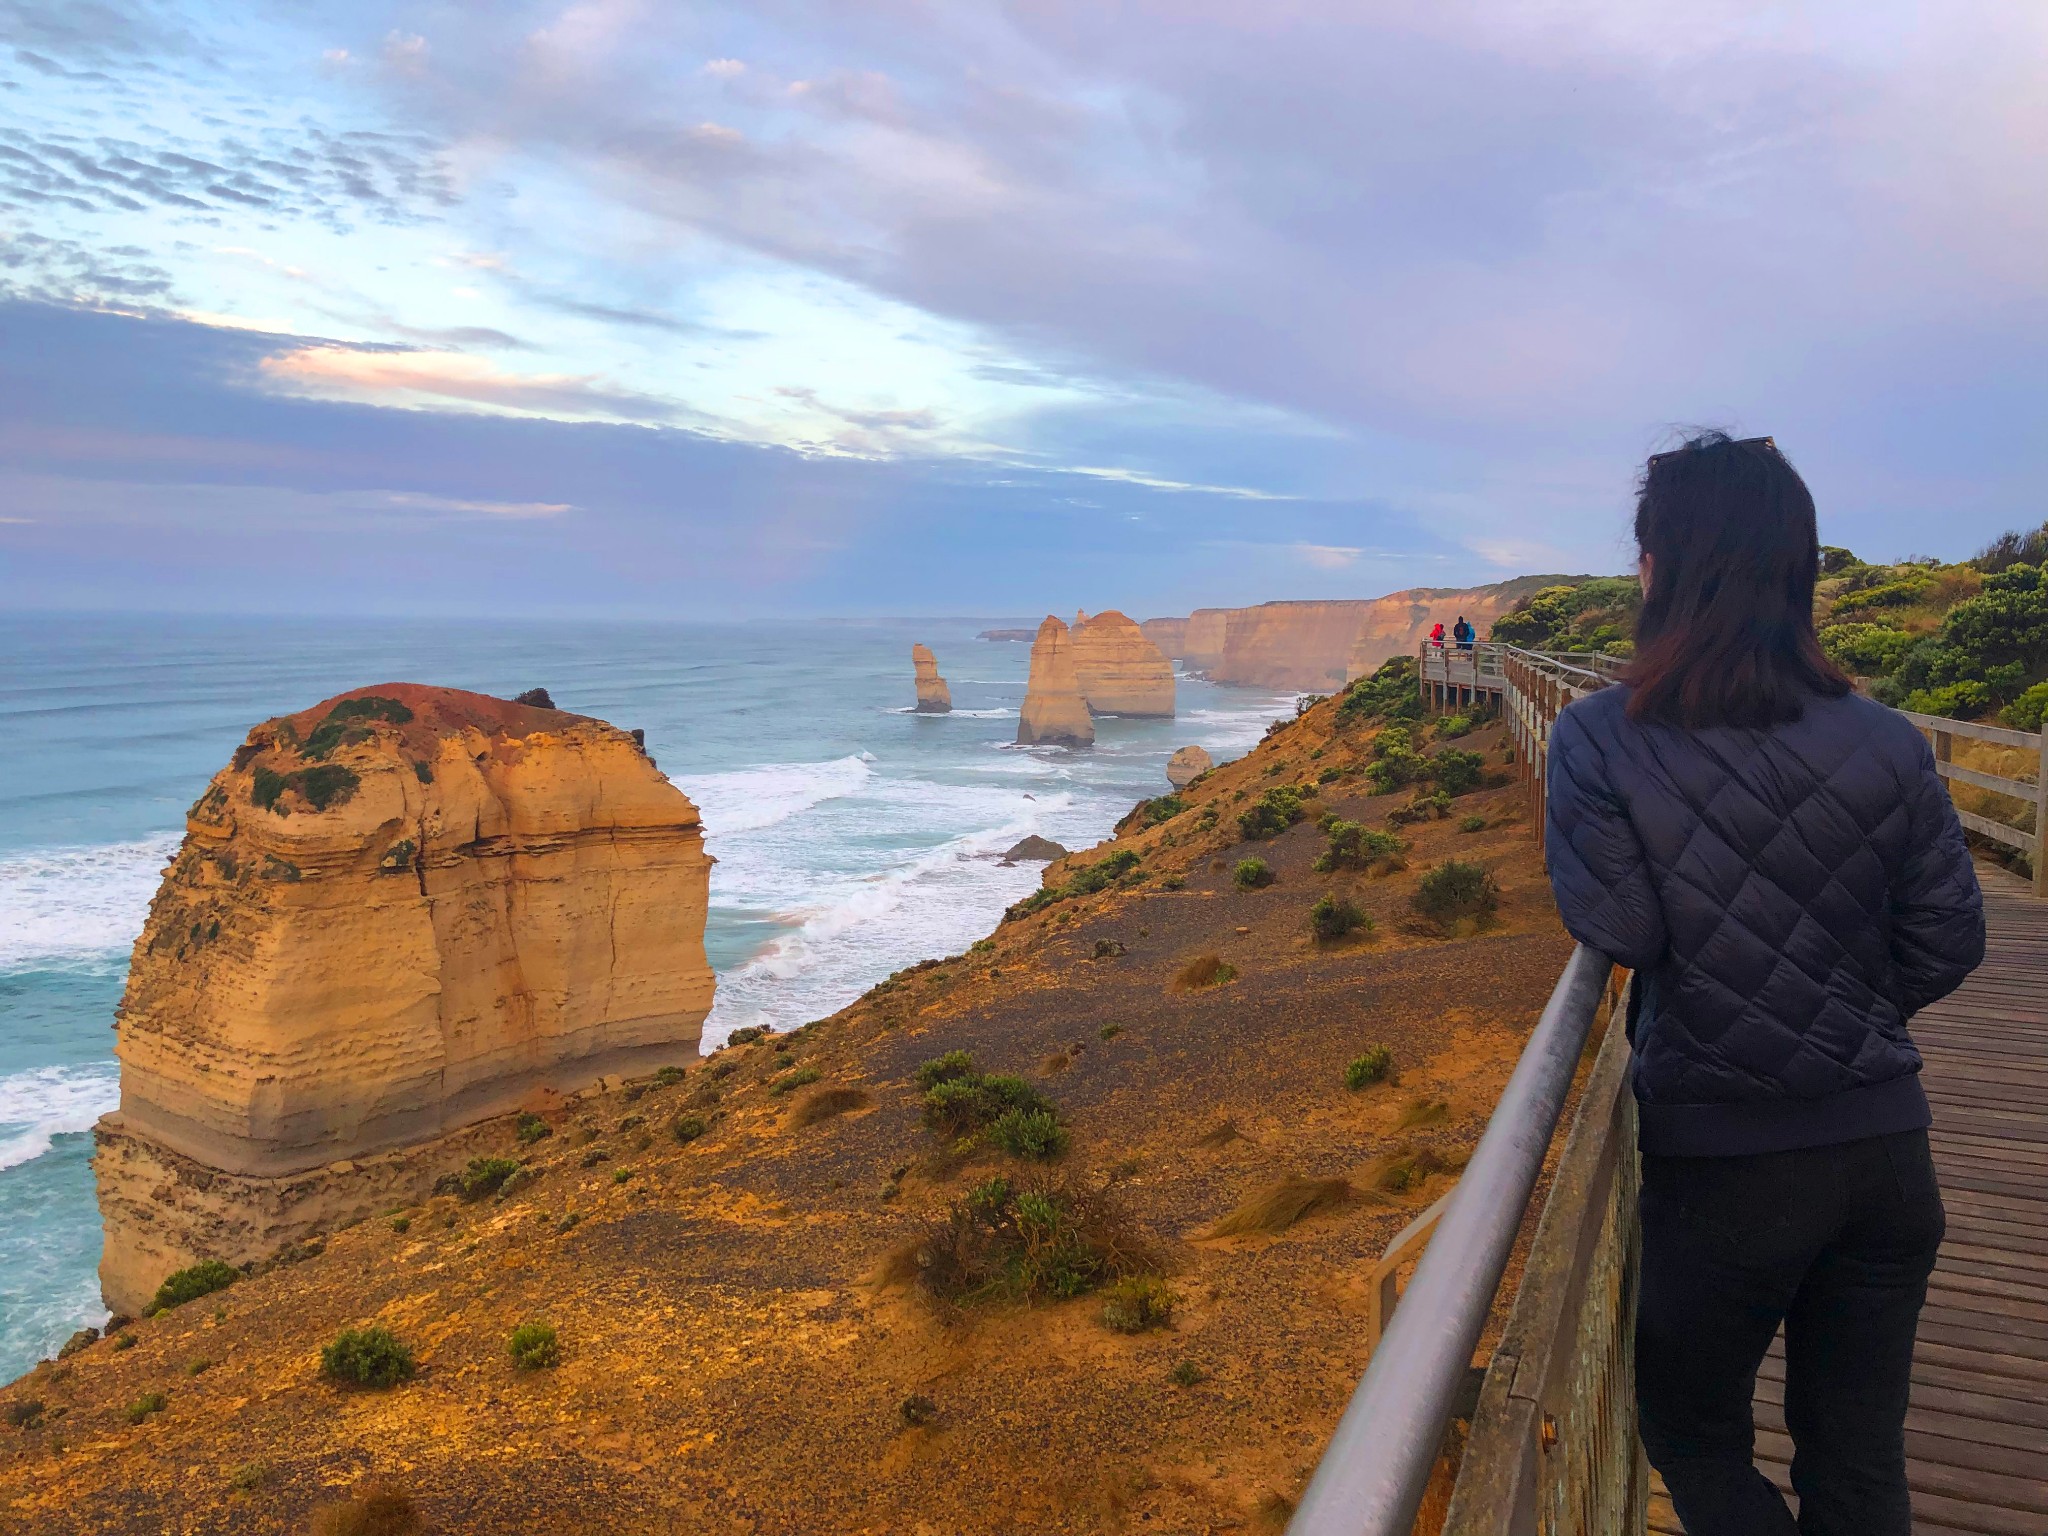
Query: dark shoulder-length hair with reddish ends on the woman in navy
point(1727, 624)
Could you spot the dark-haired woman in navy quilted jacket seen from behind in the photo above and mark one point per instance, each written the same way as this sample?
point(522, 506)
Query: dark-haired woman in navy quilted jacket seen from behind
point(1777, 861)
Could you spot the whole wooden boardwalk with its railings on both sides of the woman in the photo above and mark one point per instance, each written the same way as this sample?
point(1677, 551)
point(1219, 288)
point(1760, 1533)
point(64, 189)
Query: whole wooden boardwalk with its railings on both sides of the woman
point(1549, 1441)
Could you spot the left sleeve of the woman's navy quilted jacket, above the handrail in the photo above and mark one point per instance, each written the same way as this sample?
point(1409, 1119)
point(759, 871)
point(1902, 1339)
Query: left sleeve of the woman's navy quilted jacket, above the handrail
point(1598, 869)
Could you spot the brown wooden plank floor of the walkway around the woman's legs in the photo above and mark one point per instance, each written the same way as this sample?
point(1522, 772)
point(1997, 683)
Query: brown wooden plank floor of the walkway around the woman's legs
point(1977, 1433)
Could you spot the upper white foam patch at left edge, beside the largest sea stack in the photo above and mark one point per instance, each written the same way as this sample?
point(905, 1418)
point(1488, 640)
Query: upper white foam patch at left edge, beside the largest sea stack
point(79, 906)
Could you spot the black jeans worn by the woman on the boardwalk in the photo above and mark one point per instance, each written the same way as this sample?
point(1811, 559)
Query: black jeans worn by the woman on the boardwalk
point(1832, 1242)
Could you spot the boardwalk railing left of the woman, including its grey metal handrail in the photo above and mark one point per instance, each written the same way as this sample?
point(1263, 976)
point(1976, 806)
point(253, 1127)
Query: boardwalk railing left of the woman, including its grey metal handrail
point(1553, 1439)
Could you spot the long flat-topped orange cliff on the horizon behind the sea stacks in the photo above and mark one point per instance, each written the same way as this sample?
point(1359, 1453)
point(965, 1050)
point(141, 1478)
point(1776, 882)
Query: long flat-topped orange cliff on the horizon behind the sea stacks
point(1322, 646)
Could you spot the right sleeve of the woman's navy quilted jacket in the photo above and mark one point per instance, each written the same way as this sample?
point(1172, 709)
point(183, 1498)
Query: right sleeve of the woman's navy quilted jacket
point(1938, 914)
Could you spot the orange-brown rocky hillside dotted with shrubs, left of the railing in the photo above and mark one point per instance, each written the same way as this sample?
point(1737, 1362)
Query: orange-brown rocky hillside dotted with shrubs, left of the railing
point(1066, 1234)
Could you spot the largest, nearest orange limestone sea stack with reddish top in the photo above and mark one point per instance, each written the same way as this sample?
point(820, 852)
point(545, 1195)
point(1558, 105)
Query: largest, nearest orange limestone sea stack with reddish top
point(394, 916)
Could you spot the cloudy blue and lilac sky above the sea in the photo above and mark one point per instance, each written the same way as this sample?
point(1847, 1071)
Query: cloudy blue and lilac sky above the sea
point(947, 308)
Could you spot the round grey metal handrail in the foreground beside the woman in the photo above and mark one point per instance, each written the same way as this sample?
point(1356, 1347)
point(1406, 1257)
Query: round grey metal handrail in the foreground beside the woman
point(1377, 1465)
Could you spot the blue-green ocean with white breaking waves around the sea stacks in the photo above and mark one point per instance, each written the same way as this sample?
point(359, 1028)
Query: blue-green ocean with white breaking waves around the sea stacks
point(853, 837)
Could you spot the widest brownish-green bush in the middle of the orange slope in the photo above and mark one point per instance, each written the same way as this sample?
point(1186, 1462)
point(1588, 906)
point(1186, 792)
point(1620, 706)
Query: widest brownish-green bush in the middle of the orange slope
point(1035, 1240)
